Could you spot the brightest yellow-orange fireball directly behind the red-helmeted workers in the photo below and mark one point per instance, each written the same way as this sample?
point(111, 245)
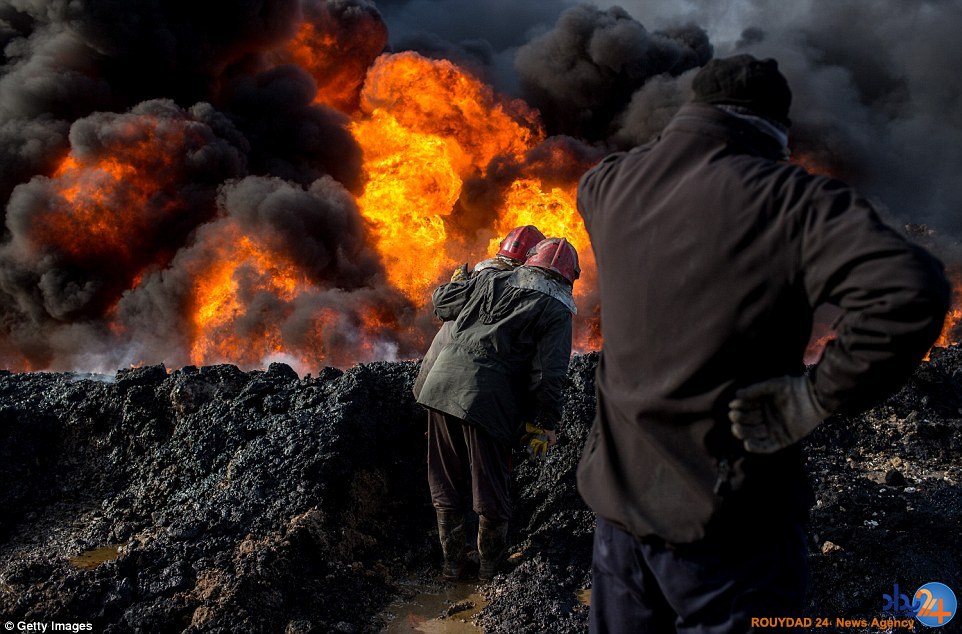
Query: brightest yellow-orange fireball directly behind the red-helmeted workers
point(429, 126)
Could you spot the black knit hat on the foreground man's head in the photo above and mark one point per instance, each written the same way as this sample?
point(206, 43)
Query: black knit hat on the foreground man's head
point(745, 81)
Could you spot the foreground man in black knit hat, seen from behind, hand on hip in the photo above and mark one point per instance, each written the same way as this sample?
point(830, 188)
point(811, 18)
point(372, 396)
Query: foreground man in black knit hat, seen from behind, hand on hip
point(712, 254)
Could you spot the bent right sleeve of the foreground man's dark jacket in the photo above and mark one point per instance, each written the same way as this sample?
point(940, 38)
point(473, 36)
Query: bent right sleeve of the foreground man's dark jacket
point(893, 295)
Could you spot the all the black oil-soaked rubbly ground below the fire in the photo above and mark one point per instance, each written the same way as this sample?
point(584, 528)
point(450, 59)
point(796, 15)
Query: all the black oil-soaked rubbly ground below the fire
point(230, 501)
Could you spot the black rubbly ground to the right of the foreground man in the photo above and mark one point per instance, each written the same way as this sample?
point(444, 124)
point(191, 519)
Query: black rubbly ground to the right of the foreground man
point(888, 488)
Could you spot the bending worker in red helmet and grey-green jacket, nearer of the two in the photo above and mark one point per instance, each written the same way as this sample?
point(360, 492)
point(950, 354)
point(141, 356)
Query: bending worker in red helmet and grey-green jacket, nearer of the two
point(505, 365)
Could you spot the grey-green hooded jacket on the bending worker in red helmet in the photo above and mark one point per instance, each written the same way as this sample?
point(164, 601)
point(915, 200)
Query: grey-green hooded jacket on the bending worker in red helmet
point(508, 356)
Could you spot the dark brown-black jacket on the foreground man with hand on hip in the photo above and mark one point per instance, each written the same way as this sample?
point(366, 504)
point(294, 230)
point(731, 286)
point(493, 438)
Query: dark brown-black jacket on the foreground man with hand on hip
point(712, 255)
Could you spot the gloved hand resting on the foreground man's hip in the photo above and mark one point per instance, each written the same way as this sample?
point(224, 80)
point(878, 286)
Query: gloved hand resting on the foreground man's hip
point(774, 414)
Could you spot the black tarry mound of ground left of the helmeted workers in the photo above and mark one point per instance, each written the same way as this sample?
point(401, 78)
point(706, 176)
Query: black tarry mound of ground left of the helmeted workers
point(240, 502)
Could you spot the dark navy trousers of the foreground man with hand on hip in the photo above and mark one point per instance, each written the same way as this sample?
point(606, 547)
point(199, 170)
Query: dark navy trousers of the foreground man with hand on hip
point(710, 587)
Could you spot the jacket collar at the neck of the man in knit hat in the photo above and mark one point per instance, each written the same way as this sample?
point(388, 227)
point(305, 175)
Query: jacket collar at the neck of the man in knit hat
point(708, 120)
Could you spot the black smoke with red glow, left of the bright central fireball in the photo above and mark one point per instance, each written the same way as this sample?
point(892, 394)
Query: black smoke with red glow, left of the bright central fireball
point(104, 239)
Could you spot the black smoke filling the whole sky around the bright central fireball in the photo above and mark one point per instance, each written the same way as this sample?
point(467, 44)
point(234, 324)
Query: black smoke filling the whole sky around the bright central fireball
point(103, 246)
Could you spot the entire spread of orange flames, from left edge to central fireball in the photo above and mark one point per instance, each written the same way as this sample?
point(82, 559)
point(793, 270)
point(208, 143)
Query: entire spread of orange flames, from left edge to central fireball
point(130, 219)
